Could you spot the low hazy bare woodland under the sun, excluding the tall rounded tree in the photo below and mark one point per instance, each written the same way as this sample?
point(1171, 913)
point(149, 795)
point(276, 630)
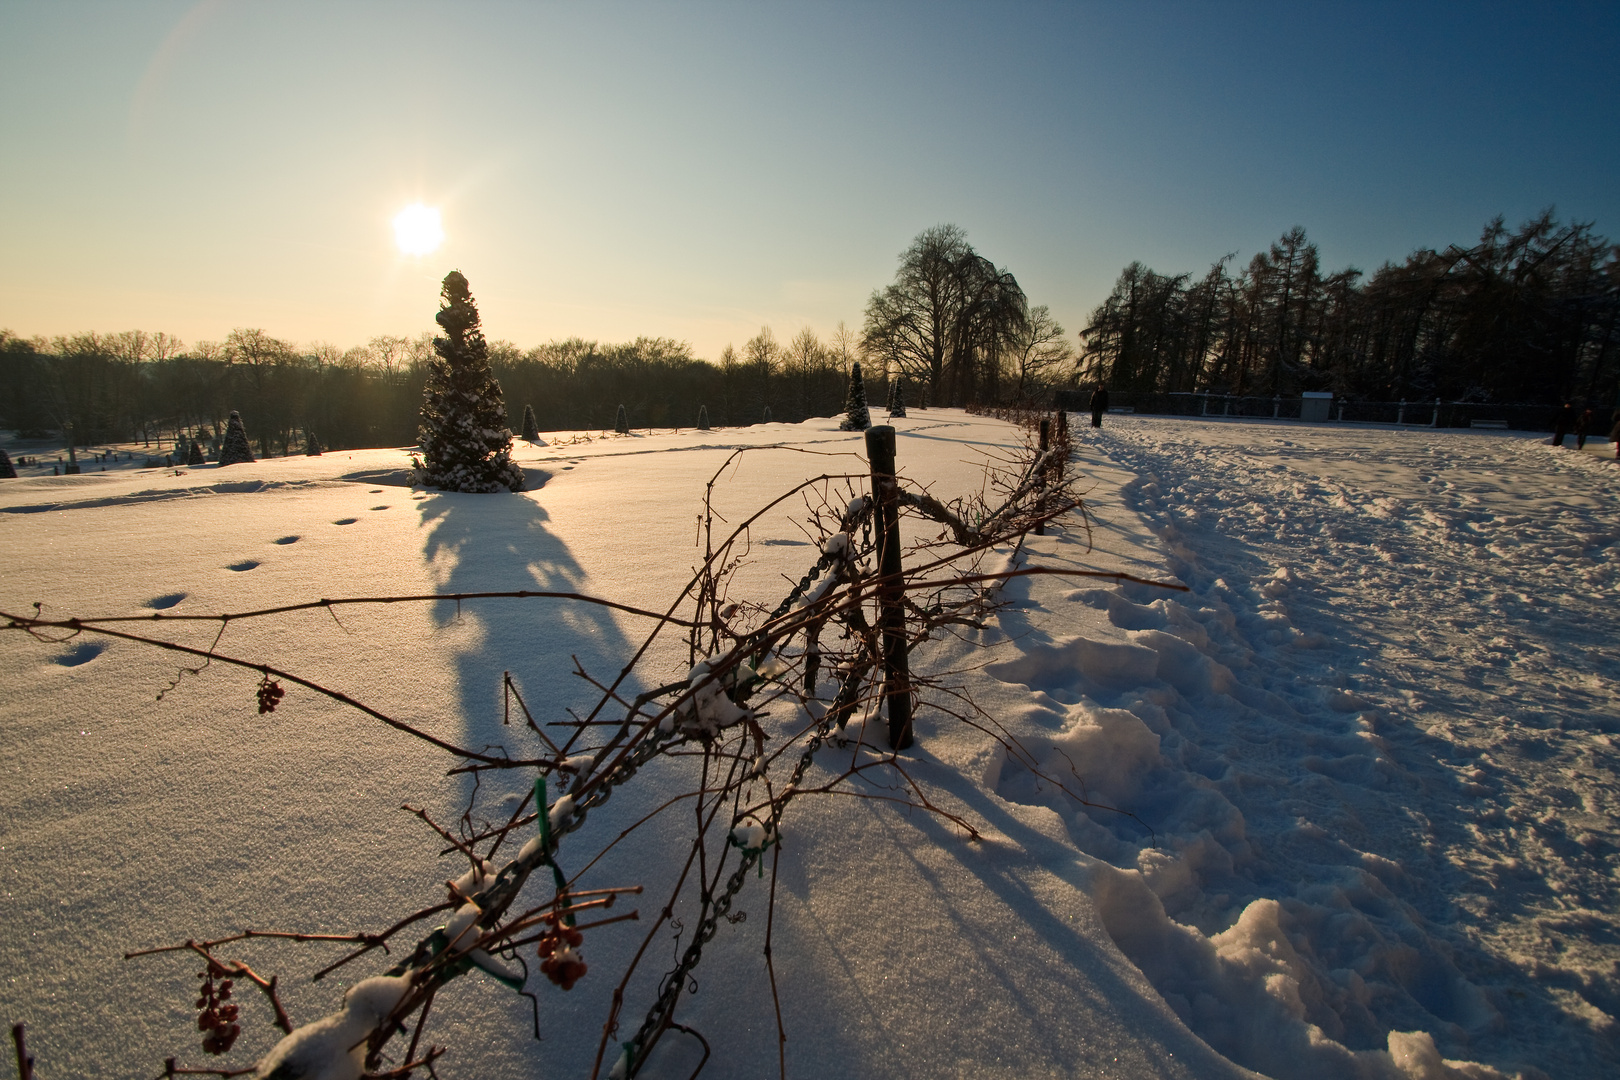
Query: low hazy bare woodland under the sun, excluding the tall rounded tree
point(151, 388)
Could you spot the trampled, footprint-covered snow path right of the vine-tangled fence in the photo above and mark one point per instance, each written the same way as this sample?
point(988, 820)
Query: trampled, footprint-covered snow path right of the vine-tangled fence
point(1409, 741)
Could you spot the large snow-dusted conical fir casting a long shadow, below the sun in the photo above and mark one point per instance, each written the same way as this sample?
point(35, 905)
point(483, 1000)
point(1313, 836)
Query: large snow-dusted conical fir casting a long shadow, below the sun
point(466, 444)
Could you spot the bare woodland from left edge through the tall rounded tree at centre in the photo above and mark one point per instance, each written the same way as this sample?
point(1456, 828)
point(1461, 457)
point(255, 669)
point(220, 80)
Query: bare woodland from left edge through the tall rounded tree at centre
point(953, 328)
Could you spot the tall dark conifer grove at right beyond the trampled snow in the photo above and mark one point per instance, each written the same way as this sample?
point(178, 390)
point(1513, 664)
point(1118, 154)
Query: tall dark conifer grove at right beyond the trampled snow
point(1520, 317)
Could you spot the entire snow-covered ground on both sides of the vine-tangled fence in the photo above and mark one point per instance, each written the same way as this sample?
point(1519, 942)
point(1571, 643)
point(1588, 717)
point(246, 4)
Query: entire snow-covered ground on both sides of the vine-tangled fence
point(1368, 759)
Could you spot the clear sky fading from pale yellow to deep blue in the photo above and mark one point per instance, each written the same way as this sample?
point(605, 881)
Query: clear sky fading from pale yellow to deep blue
point(699, 171)
